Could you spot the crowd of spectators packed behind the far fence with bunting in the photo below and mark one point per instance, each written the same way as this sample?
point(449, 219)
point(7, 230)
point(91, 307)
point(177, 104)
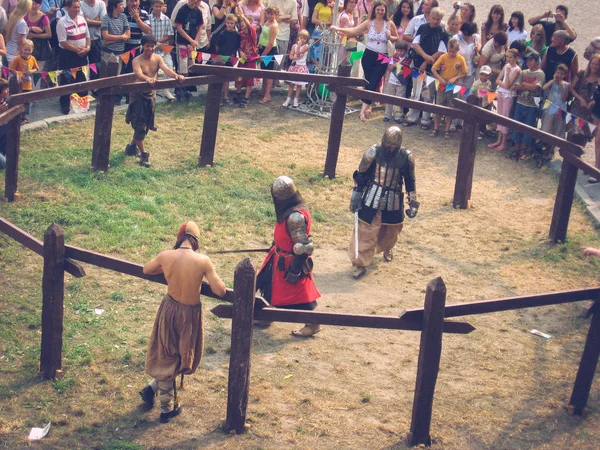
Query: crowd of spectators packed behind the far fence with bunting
point(406, 47)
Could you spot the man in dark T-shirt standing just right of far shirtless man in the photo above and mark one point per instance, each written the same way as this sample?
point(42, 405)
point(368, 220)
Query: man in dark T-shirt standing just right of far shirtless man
point(189, 22)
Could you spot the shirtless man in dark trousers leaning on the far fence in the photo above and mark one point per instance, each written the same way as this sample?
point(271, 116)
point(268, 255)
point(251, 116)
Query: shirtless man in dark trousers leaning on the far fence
point(141, 104)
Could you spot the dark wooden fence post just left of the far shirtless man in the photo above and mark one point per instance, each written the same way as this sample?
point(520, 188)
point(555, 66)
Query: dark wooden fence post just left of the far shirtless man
point(103, 121)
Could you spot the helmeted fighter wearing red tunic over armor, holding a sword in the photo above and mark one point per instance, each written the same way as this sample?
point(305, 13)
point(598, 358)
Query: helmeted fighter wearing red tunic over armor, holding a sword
point(285, 278)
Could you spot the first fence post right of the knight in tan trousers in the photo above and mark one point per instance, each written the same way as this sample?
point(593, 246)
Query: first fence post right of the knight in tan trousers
point(466, 160)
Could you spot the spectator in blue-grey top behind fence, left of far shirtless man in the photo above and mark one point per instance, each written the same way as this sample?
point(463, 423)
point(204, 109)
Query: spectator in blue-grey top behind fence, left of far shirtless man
point(115, 32)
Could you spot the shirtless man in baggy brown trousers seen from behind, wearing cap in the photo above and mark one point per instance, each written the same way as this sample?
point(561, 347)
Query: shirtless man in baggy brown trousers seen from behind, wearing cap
point(177, 338)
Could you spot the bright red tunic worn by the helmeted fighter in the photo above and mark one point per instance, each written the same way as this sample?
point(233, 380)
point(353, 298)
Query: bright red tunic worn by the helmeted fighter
point(284, 293)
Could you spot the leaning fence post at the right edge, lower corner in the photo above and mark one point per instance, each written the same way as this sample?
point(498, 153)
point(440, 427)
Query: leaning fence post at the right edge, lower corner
point(587, 367)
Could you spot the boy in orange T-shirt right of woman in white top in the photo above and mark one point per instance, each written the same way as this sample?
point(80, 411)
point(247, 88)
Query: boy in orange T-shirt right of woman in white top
point(453, 67)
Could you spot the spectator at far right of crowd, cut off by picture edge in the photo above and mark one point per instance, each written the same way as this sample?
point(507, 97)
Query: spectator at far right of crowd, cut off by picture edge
point(583, 86)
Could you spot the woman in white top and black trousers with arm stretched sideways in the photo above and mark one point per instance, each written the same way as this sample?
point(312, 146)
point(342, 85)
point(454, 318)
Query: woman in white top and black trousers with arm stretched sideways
point(379, 30)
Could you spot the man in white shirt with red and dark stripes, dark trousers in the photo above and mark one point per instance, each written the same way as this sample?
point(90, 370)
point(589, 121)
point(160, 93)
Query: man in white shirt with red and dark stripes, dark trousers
point(74, 40)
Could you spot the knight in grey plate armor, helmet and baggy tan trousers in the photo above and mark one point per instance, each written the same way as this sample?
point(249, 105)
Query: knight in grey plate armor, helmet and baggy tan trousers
point(378, 200)
